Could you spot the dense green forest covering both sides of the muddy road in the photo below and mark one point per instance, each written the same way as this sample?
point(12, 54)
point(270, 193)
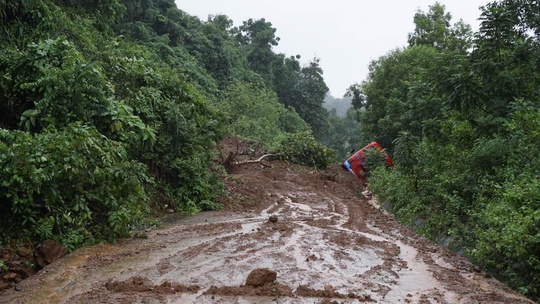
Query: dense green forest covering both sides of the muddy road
point(111, 110)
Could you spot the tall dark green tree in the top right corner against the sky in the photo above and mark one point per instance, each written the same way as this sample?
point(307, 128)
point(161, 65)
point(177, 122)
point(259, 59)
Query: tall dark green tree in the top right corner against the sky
point(506, 58)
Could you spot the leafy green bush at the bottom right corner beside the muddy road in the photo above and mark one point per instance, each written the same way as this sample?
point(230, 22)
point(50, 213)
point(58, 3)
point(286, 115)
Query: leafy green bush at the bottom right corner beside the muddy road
point(508, 232)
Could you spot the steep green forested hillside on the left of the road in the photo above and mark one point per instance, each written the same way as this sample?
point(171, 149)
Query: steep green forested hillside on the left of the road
point(112, 109)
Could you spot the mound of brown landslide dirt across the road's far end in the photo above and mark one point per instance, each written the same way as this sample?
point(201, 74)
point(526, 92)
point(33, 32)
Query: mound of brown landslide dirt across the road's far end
point(247, 184)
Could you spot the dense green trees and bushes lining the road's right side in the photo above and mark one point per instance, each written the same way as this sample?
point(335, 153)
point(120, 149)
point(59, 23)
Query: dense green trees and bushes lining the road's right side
point(463, 125)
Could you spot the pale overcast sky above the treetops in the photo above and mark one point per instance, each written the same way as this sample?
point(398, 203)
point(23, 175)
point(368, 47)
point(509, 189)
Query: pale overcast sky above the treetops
point(345, 34)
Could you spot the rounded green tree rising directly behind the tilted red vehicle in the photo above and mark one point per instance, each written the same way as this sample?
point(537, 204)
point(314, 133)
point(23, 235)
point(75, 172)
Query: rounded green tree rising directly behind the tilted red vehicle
point(398, 95)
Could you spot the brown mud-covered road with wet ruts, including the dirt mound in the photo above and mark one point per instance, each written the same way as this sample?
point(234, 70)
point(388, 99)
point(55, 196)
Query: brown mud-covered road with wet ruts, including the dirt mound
point(310, 236)
